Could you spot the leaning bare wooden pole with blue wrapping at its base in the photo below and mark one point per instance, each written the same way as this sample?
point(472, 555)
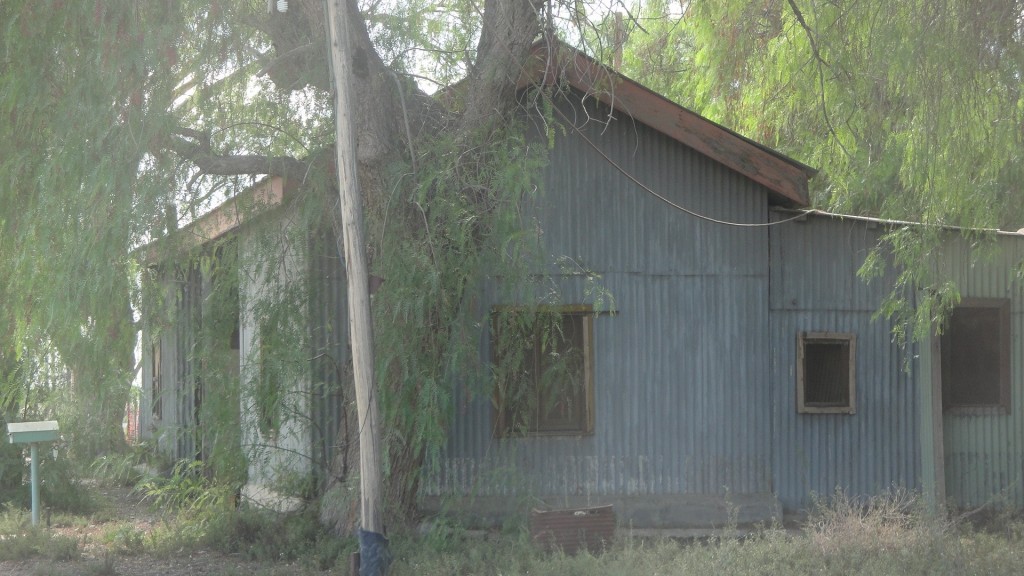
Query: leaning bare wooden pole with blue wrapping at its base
point(373, 546)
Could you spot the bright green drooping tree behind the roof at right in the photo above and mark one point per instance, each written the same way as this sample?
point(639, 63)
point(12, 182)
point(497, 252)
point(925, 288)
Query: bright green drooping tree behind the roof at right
point(912, 111)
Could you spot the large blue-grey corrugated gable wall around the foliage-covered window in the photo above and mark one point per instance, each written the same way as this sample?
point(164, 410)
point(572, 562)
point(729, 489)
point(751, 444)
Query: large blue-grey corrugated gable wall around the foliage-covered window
point(681, 372)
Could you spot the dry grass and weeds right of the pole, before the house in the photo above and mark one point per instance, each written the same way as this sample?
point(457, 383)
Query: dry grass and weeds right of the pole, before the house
point(883, 537)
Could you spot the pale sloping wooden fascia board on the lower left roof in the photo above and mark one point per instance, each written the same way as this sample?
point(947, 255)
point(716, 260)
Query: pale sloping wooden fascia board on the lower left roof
point(226, 218)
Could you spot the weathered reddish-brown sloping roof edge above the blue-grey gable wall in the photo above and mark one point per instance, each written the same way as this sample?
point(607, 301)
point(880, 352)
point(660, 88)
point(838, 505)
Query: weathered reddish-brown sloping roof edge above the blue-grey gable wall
point(552, 61)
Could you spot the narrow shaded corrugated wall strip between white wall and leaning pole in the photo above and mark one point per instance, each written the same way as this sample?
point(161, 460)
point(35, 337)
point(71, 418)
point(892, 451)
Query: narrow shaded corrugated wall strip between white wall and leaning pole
point(329, 340)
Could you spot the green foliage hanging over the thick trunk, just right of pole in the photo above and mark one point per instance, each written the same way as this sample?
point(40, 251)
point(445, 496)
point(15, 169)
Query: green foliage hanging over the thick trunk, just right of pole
point(444, 233)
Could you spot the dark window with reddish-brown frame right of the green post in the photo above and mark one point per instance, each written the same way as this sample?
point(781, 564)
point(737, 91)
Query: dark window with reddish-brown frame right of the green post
point(975, 350)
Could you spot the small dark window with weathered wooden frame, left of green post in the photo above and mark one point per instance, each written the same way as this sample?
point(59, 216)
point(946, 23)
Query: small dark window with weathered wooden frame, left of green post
point(826, 383)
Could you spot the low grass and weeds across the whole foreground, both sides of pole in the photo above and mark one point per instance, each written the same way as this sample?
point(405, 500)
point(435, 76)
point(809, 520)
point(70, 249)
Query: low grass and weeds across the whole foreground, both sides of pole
point(883, 537)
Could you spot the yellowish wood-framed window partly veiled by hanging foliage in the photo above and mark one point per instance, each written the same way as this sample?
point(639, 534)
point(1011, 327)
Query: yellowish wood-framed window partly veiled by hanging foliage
point(543, 371)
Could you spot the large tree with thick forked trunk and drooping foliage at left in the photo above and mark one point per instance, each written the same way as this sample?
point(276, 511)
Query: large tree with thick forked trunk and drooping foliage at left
point(123, 120)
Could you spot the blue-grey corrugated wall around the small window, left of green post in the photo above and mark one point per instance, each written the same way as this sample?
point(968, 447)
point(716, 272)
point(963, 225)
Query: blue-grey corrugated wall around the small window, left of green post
point(815, 289)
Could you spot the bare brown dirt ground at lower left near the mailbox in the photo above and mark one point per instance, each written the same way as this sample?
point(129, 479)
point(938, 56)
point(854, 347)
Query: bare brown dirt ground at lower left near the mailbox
point(96, 560)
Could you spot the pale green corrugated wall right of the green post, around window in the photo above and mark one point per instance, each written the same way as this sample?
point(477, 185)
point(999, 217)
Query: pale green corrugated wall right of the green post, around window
point(985, 455)
